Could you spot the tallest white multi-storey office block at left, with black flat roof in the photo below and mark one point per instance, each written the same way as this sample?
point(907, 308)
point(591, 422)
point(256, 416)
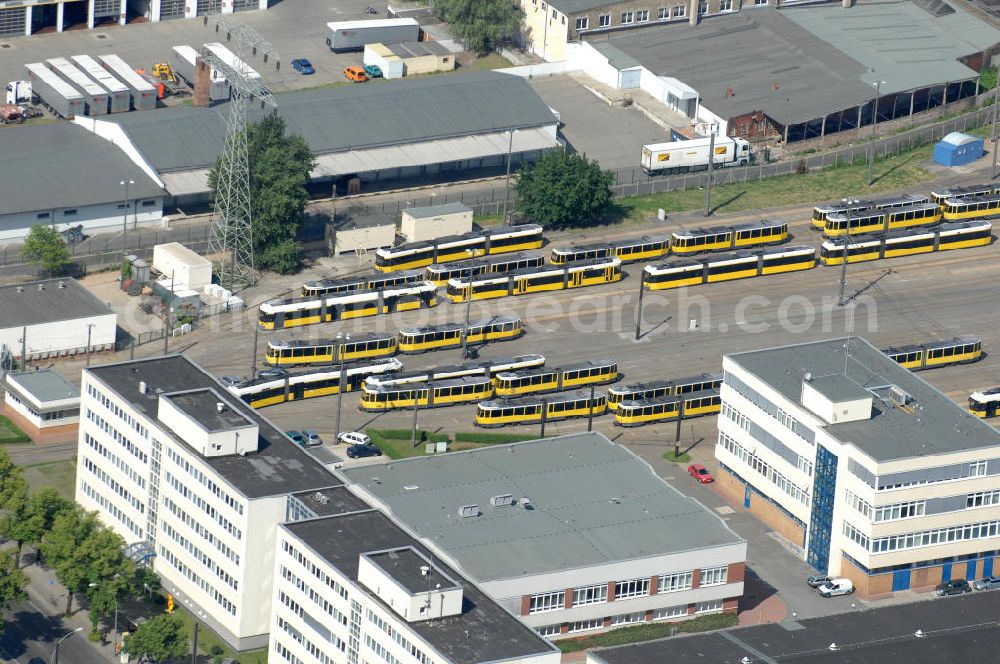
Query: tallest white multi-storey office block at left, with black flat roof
point(196, 483)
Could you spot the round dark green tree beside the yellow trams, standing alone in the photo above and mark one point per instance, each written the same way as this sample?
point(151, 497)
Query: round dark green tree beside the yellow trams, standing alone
point(563, 189)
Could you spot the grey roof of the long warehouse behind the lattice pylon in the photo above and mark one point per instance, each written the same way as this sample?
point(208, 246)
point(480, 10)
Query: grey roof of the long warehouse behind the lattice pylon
point(350, 118)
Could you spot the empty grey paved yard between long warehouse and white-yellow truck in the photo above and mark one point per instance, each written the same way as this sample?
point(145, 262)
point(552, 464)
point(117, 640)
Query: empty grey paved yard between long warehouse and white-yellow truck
point(611, 134)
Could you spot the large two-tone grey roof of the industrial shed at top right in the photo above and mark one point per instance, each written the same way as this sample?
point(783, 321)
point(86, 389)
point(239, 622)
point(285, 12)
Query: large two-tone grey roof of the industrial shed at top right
point(791, 64)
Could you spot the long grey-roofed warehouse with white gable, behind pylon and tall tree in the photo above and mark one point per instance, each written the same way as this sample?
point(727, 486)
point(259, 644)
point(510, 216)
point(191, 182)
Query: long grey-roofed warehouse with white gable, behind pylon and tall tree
point(438, 126)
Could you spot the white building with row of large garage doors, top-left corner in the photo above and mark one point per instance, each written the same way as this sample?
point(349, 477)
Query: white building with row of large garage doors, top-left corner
point(18, 17)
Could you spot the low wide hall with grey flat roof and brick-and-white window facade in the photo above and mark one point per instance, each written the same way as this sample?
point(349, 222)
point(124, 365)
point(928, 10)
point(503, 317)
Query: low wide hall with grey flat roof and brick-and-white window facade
point(574, 534)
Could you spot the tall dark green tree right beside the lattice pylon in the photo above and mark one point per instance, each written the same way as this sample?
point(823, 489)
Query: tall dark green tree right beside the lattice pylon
point(279, 172)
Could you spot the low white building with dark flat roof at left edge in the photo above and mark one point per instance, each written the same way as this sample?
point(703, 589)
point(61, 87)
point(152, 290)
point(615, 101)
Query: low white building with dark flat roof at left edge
point(54, 318)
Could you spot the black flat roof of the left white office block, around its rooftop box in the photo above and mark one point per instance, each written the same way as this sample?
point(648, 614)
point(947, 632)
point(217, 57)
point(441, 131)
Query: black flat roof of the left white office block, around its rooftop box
point(279, 466)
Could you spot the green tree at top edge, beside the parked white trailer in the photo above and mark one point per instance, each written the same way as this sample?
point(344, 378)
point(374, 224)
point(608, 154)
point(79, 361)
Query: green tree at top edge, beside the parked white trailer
point(481, 24)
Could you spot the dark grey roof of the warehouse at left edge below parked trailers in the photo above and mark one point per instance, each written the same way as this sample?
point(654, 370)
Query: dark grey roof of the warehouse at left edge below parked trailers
point(64, 165)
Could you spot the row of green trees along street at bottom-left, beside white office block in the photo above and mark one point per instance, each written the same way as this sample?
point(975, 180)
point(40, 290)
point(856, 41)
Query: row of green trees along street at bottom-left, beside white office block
point(87, 558)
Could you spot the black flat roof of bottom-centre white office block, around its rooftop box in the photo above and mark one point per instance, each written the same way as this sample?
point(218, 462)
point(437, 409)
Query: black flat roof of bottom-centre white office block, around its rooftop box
point(482, 633)
